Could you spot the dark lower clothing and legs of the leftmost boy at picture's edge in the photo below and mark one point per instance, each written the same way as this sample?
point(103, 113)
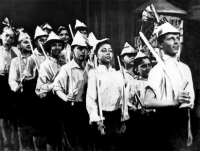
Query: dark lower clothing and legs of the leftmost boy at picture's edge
point(7, 113)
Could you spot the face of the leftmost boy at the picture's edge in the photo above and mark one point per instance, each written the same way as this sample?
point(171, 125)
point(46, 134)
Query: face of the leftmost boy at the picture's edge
point(7, 38)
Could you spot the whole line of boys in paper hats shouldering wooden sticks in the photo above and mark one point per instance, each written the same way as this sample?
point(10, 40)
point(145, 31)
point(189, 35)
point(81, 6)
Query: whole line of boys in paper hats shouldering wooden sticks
point(57, 93)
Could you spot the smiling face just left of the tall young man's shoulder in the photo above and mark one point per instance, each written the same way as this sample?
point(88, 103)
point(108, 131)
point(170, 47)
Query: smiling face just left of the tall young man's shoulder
point(144, 68)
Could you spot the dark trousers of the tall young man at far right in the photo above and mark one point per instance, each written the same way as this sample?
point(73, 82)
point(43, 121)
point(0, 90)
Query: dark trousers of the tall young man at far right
point(170, 129)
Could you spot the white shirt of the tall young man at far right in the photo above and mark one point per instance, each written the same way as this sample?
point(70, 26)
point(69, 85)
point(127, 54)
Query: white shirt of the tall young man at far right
point(160, 84)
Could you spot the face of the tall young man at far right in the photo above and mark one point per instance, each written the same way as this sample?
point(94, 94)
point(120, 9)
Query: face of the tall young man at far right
point(171, 44)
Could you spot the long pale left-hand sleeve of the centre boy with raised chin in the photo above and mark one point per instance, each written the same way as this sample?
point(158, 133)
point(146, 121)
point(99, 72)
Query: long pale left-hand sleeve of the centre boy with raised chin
point(91, 97)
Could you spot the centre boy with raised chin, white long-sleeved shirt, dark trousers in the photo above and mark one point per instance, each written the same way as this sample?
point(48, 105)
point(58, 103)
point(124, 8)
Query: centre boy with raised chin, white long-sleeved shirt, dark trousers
point(109, 89)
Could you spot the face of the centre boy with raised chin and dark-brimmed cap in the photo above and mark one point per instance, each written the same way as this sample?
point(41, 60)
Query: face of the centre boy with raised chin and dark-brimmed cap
point(105, 54)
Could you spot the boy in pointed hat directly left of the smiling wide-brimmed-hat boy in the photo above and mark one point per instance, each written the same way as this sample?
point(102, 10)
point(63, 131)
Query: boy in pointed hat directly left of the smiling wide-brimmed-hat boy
point(30, 74)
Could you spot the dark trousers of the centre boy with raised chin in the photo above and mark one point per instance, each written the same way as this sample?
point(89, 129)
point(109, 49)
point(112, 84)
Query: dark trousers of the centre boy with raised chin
point(113, 139)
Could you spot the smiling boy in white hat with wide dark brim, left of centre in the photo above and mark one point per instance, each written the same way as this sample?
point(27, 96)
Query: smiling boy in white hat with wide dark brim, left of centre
point(49, 121)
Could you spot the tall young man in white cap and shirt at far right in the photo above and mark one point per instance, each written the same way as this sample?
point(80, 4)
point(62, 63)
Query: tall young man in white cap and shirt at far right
point(165, 92)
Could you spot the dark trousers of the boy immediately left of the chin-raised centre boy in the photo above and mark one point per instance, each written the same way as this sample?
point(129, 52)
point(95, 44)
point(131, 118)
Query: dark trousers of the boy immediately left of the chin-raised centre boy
point(76, 125)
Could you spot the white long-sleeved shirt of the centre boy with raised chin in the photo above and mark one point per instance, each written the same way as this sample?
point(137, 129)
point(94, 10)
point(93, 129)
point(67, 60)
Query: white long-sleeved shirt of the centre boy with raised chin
point(111, 83)
